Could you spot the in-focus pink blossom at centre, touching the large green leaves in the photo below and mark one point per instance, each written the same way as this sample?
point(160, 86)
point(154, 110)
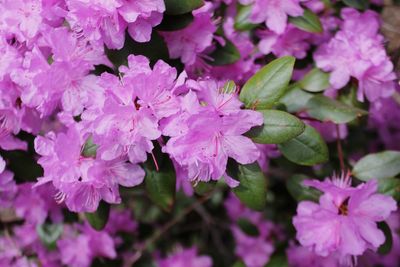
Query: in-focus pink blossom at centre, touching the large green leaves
point(210, 131)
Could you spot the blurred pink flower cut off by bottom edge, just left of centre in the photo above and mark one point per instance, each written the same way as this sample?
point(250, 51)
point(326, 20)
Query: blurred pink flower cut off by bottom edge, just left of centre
point(185, 257)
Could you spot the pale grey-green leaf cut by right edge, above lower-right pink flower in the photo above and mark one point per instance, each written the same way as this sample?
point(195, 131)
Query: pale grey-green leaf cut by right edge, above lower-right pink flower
point(378, 166)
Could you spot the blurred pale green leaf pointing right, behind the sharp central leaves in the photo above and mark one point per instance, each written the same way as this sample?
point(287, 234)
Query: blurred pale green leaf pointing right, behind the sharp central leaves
point(326, 109)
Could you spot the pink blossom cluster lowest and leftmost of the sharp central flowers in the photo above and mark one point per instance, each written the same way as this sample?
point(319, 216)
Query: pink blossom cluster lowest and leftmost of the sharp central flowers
point(82, 181)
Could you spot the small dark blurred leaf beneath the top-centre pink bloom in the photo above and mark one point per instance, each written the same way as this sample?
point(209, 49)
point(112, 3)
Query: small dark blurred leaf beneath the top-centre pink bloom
point(224, 55)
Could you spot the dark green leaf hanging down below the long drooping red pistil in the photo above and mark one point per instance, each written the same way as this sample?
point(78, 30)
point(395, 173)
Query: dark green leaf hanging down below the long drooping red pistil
point(161, 188)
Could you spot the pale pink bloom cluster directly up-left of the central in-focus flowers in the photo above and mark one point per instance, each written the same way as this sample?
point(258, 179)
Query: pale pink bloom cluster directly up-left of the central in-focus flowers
point(66, 81)
